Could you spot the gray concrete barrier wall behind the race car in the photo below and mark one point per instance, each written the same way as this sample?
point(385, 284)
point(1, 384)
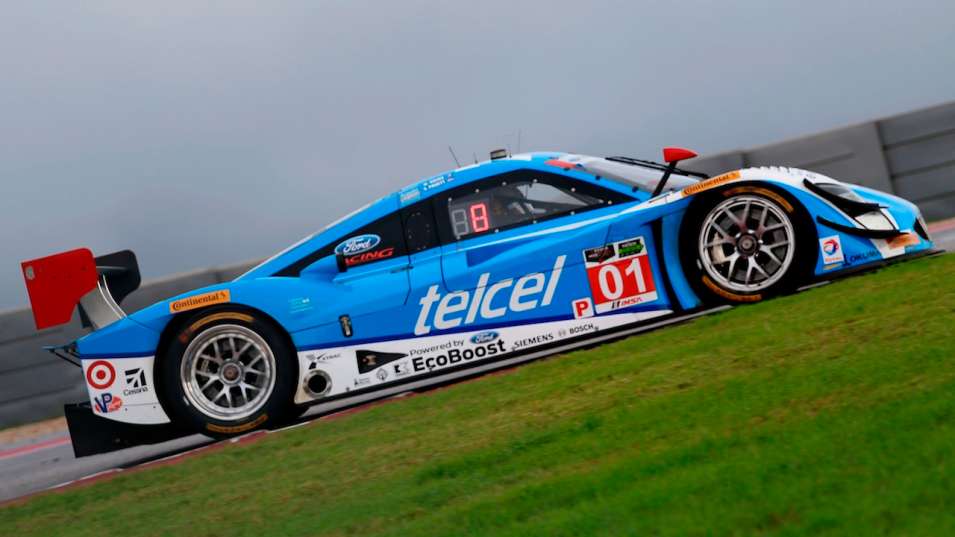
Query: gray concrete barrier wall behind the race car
point(911, 154)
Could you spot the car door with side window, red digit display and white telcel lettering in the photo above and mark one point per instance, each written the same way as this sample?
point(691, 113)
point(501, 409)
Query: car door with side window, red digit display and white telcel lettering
point(514, 249)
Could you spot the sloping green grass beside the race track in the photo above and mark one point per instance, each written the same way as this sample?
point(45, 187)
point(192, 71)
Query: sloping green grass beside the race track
point(828, 412)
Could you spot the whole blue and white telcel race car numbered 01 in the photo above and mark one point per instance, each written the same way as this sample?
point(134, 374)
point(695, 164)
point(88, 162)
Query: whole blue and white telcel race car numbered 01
point(474, 269)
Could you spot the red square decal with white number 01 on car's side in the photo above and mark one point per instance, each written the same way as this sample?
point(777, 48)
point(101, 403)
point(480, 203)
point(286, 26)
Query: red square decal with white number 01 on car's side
point(620, 275)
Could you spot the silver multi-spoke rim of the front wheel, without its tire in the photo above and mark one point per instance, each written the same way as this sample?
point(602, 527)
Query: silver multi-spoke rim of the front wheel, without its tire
point(746, 243)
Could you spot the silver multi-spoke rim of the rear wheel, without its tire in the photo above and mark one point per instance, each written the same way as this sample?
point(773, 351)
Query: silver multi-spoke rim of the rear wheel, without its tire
point(228, 372)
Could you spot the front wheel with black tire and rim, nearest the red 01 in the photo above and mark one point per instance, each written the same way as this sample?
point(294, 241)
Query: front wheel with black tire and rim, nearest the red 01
point(745, 244)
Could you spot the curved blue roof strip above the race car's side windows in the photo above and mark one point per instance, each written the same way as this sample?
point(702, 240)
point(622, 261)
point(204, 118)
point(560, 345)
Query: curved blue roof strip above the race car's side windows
point(411, 194)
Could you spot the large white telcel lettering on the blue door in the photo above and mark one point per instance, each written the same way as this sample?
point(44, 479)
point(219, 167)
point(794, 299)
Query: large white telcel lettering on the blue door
point(459, 308)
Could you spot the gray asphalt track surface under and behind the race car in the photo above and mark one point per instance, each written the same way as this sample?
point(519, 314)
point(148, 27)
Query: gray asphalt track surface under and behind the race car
point(46, 461)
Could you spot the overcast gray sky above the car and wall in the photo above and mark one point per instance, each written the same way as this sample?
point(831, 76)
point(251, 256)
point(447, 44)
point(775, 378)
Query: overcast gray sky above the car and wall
point(207, 134)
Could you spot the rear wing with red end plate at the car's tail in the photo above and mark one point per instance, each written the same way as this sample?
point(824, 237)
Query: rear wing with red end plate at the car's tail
point(60, 282)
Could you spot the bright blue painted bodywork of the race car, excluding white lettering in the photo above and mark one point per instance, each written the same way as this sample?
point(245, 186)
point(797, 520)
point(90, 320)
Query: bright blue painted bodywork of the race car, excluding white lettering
point(384, 298)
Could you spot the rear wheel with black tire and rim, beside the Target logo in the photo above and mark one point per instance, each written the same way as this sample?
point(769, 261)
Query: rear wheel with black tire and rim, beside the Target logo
point(225, 372)
